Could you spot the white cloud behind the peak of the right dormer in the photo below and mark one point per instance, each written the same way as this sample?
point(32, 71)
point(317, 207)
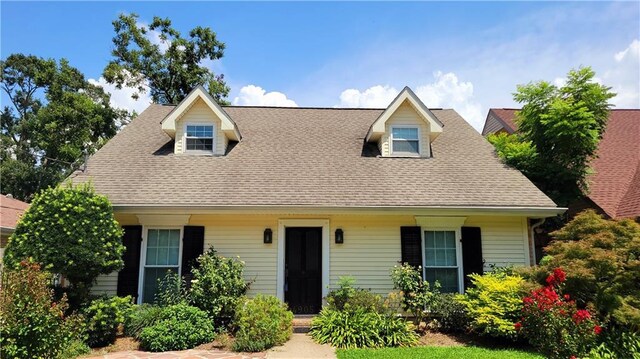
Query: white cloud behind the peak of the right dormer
point(446, 91)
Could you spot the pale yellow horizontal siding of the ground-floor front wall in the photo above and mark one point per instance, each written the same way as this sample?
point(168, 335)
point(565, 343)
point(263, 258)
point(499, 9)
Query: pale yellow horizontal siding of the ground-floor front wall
point(371, 246)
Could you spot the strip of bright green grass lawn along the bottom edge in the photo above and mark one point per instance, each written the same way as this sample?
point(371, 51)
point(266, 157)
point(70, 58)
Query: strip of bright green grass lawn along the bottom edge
point(435, 353)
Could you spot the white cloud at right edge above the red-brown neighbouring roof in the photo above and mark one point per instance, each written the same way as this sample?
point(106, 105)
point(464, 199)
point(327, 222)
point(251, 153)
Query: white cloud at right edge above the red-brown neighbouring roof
point(624, 76)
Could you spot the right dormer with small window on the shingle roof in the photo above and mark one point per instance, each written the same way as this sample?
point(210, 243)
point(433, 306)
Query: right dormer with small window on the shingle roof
point(406, 128)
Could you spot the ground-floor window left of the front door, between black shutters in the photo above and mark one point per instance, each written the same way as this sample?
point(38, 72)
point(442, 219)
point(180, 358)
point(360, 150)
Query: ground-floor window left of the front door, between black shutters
point(162, 255)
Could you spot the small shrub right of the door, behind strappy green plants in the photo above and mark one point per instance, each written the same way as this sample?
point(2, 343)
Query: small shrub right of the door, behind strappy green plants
point(348, 297)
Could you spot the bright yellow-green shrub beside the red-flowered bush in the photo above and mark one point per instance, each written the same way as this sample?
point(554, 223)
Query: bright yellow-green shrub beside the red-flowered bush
point(494, 303)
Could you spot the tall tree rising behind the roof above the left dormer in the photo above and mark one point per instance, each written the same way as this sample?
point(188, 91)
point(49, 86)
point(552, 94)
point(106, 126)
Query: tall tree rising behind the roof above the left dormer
point(169, 65)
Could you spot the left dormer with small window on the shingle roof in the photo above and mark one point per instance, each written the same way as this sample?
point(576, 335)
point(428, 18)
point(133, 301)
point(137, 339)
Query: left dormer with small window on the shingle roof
point(200, 126)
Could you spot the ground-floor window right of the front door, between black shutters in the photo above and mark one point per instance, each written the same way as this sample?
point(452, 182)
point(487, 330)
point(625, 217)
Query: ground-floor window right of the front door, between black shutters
point(441, 259)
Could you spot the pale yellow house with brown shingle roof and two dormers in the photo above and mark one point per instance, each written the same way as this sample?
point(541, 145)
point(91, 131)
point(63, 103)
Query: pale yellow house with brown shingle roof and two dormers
point(306, 195)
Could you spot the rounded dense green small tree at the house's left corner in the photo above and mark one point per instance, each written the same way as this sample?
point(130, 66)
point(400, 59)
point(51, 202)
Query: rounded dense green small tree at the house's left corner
point(70, 231)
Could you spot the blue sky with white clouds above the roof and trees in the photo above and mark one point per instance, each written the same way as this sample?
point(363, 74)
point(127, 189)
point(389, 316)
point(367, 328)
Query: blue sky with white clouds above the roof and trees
point(469, 56)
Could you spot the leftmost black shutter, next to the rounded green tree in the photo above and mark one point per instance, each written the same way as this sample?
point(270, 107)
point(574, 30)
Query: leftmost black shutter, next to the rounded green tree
point(130, 273)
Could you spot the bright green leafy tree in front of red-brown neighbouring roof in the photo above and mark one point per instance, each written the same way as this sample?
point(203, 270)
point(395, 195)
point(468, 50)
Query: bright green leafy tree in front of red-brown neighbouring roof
point(559, 129)
